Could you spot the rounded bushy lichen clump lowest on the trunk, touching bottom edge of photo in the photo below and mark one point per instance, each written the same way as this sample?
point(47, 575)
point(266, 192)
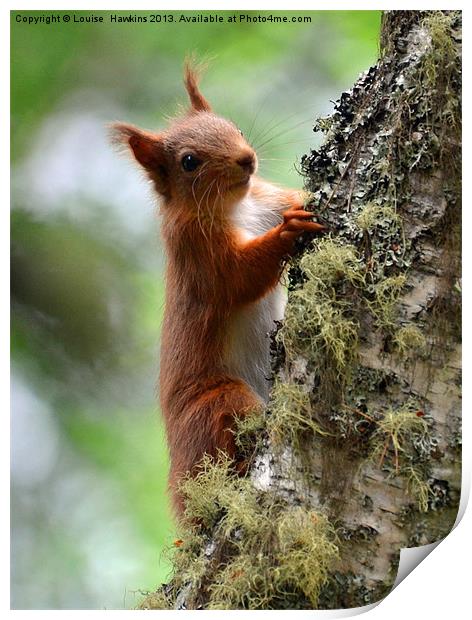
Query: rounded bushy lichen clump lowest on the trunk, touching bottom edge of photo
point(286, 559)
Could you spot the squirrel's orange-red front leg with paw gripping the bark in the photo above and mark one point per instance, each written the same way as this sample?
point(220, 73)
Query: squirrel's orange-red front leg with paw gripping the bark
point(259, 261)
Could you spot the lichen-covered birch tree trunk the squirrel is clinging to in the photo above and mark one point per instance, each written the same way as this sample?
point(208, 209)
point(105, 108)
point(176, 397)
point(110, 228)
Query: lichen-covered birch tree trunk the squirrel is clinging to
point(358, 453)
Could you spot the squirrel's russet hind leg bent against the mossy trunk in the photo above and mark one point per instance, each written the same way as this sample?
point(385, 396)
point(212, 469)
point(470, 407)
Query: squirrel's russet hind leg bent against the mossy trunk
point(210, 419)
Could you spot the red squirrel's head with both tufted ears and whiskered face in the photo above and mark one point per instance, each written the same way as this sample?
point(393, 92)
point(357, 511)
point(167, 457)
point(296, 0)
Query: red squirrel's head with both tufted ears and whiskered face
point(201, 161)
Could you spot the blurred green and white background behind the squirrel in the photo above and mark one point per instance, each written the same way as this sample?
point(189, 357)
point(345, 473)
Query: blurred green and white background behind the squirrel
point(89, 512)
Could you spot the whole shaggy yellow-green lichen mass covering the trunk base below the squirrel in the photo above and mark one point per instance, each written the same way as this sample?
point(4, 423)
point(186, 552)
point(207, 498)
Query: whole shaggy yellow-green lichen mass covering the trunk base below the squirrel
point(273, 551)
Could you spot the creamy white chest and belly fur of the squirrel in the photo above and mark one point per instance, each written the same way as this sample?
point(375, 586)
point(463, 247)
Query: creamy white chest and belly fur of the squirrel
point(248, 352)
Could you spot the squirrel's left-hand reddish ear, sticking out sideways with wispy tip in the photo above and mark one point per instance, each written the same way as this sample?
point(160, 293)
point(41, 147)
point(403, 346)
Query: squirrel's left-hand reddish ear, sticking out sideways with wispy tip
point(147, 149)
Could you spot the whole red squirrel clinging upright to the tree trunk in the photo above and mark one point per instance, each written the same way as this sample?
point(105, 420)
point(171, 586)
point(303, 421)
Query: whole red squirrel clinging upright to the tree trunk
point(227, 234)
